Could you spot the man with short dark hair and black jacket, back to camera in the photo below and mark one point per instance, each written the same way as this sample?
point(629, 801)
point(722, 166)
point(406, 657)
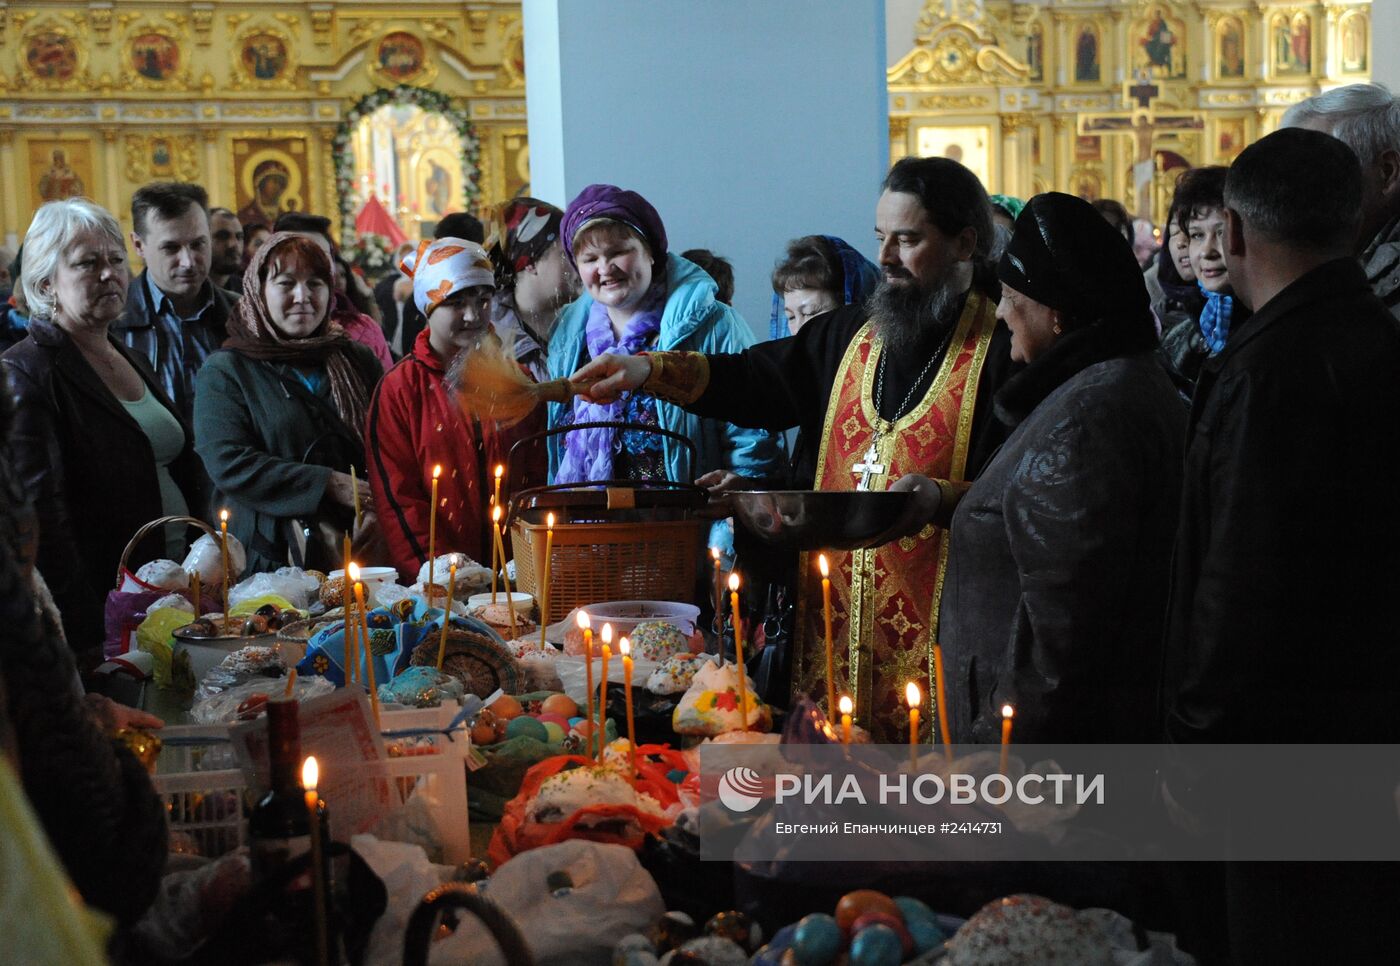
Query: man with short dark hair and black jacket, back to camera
point(1283, 625)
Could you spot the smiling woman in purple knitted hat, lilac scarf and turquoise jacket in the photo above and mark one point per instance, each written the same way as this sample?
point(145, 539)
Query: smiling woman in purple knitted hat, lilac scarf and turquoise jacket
point(639, 299)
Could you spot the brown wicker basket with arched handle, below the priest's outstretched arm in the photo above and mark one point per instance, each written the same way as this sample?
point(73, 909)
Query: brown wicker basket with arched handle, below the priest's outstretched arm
point(614, 540)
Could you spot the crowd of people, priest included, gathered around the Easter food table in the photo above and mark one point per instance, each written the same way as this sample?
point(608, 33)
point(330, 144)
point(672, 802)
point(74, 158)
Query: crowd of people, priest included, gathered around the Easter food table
point(1150, 475)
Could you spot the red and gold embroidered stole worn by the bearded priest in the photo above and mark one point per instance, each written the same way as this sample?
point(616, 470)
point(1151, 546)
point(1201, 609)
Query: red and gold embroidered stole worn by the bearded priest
point(885, 600)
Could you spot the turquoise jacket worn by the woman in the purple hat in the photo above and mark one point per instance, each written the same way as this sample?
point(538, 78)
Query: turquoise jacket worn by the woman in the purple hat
point(694, 321)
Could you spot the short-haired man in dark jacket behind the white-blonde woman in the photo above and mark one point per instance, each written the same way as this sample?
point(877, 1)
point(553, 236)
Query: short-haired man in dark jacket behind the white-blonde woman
point(176, 317)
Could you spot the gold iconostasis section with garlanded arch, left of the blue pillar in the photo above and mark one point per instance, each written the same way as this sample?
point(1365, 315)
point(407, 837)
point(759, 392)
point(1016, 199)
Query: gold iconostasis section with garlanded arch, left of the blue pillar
point(272, 107)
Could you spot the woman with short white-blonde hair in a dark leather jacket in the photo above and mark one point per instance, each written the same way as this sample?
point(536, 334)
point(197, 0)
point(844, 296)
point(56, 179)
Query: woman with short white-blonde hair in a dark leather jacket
point(100, 447)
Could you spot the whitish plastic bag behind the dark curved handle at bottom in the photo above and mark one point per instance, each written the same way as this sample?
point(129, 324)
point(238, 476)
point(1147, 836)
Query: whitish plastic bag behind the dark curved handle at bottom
point(611, 895)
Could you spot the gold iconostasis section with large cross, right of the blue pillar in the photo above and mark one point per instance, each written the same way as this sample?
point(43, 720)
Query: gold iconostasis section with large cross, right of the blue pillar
point(1114, 99)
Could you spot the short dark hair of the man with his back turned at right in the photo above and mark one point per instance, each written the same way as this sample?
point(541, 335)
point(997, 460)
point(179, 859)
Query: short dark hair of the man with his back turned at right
point(1276, 190)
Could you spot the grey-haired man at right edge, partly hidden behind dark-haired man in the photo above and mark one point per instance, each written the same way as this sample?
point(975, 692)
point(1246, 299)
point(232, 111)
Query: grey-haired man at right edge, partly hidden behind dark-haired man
point(1367, 120)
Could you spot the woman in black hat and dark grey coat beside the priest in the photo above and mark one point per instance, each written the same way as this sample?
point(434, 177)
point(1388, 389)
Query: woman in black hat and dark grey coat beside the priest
point(1059, 552)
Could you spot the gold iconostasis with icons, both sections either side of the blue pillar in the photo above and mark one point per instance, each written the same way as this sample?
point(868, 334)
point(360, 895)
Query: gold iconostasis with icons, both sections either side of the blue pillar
point(282, 107)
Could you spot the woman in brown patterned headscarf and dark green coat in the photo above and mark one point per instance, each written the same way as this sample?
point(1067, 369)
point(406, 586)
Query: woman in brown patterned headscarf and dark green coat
point(279, 412)
